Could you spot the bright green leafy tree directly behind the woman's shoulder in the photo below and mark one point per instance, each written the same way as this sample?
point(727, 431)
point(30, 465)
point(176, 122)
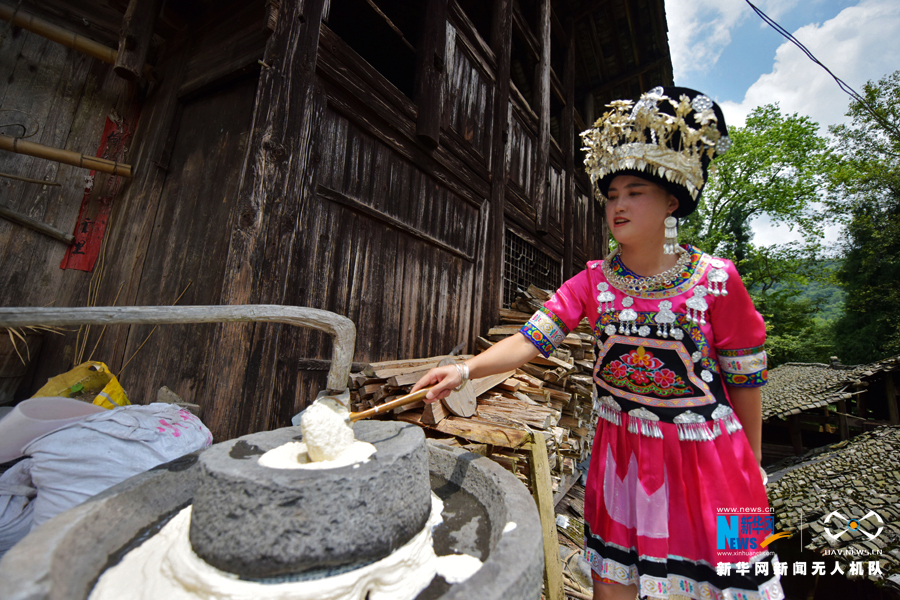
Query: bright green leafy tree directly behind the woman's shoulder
point(780, 167)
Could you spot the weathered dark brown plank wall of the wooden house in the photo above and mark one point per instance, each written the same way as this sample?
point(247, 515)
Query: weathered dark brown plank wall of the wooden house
point(303, 184)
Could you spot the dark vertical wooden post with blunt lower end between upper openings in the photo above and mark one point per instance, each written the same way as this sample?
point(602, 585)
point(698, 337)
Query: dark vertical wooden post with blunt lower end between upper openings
point(430, 71)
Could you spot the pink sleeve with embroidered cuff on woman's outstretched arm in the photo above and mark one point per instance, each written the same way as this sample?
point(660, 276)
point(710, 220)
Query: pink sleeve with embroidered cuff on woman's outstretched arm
point(560, 314)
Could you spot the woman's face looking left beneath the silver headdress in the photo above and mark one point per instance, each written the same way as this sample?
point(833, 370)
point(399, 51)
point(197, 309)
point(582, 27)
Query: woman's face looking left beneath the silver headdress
point(636, 210)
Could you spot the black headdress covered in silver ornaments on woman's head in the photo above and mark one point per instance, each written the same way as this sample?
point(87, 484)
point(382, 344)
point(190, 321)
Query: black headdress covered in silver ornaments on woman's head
point(672, 138)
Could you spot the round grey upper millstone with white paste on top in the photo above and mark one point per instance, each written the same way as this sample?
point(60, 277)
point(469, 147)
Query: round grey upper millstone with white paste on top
point(259, 522)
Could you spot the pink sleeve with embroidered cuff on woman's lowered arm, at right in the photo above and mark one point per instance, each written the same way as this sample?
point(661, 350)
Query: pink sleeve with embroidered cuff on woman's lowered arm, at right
point(739, 333)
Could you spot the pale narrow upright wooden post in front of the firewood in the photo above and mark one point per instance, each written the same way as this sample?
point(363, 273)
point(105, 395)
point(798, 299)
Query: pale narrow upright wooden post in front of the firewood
point(542, 490)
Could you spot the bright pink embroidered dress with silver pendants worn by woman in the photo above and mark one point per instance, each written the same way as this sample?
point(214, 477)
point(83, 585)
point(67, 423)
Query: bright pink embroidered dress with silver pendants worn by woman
point(669, 453)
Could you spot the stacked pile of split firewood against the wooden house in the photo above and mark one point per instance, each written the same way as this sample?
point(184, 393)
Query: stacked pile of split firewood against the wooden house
point(494, 416)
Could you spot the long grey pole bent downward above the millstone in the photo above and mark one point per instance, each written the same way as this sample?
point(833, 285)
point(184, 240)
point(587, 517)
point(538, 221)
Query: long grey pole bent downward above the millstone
point(339, 327)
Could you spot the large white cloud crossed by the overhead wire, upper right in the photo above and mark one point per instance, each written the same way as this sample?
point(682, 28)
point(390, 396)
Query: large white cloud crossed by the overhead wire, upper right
point(861, 43)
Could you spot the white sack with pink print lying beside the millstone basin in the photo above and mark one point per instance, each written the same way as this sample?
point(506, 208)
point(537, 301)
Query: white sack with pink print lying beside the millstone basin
point(82, 459)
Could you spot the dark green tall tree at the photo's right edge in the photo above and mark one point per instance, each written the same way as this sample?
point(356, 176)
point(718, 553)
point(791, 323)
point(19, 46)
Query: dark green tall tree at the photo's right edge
point(869, 179)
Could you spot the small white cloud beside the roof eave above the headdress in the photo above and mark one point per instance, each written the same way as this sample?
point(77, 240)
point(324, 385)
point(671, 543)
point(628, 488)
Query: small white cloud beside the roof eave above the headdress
point(699, 30)
